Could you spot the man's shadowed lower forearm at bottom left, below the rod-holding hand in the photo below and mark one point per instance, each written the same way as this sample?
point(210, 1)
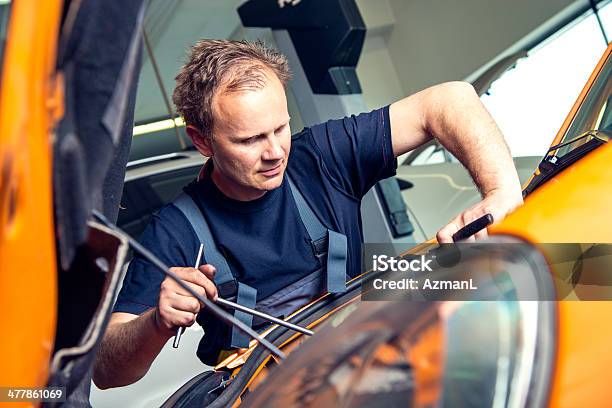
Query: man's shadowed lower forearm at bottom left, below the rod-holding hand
point(127, 351)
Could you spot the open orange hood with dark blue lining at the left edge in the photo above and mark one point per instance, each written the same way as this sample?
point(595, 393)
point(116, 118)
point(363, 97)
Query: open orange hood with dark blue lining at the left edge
point(66, 118)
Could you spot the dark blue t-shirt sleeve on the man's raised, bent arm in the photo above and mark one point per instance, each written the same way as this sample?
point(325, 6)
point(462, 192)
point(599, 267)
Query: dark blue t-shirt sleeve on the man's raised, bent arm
point(357, 150)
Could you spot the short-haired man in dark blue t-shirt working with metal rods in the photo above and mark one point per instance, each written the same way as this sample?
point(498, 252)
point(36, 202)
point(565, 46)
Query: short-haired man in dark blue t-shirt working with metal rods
point(231, 95)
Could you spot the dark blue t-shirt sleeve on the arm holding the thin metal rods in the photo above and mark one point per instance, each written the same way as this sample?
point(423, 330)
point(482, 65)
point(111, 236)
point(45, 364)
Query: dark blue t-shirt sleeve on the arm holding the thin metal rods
point(170, 237)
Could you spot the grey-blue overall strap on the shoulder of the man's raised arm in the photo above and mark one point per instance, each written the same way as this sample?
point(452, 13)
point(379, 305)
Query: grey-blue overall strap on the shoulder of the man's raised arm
point(336, 242)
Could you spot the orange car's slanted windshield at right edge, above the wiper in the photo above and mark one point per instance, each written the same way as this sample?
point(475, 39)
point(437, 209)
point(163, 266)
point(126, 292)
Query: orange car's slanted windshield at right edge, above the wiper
point(594, 115)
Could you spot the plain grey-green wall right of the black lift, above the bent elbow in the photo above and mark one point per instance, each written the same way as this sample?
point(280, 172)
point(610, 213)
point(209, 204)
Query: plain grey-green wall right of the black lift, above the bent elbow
point(434, 41)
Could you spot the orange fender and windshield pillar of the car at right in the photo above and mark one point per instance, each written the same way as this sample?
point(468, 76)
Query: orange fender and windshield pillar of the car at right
point(574, 207)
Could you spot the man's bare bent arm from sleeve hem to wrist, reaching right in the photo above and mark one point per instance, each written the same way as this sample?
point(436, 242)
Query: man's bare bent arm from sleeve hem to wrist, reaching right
point(453, 113)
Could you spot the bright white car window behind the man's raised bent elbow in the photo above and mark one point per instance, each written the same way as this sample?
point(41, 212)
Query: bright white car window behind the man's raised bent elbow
point(530, 102)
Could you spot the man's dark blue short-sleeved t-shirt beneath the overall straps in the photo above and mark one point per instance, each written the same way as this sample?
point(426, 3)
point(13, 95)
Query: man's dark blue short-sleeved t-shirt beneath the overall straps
point(266, 245)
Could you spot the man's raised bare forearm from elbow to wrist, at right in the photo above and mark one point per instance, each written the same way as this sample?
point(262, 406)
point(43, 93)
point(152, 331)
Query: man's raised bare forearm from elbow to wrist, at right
point(463, 126)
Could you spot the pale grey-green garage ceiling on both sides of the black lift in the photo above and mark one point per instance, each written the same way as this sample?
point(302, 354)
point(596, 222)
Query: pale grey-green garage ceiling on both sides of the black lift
point(428, 41)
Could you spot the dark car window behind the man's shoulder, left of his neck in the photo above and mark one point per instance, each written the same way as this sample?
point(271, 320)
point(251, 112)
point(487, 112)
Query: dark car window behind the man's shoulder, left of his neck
point(145, 195)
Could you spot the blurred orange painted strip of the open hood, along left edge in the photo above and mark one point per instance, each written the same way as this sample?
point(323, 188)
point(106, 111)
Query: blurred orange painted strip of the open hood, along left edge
point(29, 104)
